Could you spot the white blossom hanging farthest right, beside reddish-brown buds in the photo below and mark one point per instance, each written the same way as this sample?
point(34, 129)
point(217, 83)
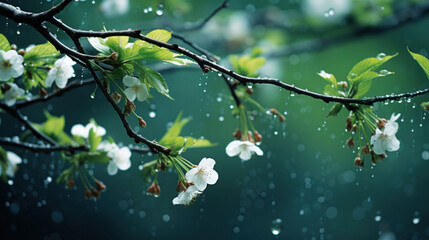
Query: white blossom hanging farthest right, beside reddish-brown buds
point(385, 138)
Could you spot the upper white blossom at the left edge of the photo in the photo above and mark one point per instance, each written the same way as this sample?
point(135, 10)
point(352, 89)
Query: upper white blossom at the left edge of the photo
point(10, 65)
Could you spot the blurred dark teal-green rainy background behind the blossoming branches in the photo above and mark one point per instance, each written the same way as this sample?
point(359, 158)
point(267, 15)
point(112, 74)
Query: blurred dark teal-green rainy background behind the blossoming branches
point(306, 177)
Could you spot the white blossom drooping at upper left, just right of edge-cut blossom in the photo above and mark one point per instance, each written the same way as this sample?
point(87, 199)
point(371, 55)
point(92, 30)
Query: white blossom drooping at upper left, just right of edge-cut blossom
point(61, 72)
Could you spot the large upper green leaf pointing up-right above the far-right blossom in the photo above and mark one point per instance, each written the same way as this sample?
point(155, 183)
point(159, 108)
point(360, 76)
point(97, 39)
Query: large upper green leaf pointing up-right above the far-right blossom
point(368, 64)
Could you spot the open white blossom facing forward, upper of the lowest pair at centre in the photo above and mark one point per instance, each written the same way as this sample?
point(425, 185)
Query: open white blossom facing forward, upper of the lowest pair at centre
point(203, 174)
